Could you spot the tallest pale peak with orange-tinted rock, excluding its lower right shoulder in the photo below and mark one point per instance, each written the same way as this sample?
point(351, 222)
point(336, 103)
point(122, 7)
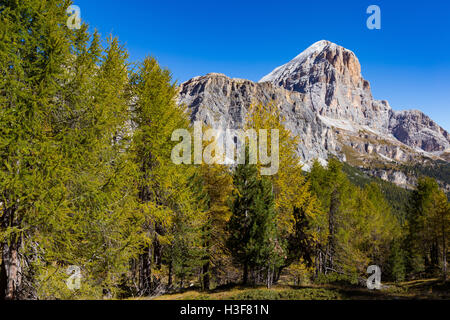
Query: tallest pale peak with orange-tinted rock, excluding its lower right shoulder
point(331, 76)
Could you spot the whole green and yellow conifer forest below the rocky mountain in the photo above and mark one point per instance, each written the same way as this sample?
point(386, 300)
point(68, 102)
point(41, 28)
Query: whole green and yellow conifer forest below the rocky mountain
point(88, 189)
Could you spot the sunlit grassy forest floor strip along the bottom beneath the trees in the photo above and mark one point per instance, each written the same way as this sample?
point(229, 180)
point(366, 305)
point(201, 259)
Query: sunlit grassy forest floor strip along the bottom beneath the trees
point(418, 289)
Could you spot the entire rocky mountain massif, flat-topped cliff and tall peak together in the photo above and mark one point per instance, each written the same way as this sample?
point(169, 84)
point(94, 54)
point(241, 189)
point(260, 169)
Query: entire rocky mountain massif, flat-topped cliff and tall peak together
point(329, 105)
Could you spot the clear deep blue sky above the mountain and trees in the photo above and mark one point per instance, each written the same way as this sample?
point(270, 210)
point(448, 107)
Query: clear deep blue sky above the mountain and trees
point(407, 61)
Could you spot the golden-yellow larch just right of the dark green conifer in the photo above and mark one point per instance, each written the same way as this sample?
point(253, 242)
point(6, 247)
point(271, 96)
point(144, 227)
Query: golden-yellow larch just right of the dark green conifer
point(299, 217)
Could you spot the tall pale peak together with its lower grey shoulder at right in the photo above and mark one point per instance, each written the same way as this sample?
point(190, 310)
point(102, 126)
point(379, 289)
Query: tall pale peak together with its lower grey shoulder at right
point(331, 76)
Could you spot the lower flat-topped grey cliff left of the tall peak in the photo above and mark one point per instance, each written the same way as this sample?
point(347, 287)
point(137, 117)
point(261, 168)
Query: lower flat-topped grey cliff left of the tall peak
point(219, 101)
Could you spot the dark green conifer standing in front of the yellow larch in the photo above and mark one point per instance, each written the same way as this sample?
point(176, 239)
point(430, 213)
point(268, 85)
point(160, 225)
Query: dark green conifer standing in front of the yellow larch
point(253, 239)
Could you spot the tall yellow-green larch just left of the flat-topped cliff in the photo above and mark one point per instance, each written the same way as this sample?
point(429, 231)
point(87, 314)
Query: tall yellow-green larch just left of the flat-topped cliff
point(166, 200)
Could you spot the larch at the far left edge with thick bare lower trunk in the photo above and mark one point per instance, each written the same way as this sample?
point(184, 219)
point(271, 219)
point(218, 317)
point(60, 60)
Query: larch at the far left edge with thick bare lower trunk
point(34, 48)
